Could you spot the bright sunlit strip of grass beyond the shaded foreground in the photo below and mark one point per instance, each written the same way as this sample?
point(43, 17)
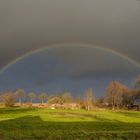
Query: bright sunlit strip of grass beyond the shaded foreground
point(71, 115)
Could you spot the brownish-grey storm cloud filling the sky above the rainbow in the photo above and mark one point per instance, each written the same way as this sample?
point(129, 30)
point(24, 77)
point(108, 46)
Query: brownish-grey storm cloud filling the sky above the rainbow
point(28, 25)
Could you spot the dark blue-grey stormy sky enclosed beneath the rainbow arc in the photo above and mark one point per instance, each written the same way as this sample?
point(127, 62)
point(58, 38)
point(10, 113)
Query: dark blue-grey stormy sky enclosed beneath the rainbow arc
point(67, 69)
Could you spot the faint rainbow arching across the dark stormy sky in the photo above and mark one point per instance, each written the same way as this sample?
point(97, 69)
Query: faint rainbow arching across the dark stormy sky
point(132, 61)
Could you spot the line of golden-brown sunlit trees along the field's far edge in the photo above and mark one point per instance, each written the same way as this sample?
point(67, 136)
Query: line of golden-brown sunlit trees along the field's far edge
point(116, 96)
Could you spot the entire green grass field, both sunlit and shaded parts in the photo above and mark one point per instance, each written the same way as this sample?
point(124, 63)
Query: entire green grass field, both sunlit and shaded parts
point(44, 124)
